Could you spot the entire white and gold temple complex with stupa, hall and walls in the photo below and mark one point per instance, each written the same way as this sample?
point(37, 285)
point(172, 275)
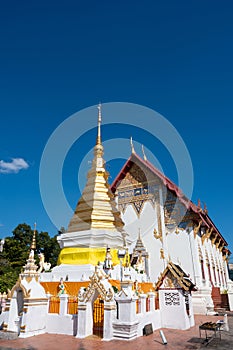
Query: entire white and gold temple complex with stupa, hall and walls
point(135, 253)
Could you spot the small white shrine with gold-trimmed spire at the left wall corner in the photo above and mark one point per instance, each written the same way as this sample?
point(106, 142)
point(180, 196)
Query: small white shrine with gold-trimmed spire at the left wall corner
point(26, 301)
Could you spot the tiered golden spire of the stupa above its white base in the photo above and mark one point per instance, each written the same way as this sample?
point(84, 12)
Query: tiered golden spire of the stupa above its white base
point(96, 209)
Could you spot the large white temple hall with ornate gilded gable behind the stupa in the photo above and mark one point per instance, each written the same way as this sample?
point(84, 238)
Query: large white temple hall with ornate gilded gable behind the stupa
point(173, 229)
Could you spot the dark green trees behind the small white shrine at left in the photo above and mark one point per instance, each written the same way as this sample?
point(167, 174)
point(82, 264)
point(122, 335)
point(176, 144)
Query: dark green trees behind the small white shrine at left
point(16, 251)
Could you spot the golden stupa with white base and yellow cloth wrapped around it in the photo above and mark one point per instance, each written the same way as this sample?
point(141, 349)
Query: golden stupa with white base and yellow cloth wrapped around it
point(96, 222)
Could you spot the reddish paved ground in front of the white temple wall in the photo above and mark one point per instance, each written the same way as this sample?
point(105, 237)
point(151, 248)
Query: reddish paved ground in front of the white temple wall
point(176, 340)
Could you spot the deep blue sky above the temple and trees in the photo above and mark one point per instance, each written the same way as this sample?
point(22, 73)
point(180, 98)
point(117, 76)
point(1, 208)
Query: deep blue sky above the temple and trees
point(60, 57)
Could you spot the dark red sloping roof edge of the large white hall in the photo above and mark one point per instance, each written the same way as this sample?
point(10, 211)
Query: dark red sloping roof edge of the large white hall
point(201, 213)
